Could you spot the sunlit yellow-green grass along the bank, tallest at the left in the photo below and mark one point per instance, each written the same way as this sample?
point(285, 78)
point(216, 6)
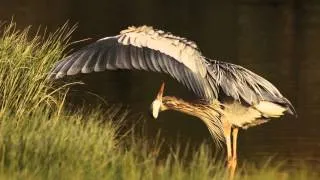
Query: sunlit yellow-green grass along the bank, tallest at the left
point(40, 140)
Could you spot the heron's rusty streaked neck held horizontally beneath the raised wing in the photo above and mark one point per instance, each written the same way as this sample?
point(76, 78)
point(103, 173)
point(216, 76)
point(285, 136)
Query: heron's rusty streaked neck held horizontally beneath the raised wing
point(200, 110)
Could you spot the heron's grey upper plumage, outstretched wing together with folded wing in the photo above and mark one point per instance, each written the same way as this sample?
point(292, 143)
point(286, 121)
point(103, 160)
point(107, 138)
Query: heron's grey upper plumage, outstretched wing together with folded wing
point(145, 48)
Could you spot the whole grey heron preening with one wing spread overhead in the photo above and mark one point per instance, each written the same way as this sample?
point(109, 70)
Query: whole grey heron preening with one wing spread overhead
point(229, 96)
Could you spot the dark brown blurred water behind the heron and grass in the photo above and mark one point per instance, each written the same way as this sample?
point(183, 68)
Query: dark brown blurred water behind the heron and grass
point(278, 39)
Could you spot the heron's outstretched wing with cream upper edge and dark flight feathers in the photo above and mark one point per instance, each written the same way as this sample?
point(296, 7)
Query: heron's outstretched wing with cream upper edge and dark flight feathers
point(142, 48)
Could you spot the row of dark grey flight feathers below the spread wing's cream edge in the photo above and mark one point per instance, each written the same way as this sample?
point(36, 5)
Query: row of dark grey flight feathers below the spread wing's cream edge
point(110, 54)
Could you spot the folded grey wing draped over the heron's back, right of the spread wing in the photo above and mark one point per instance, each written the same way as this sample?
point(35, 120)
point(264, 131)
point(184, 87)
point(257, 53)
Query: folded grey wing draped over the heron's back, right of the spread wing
point(244, 85)
